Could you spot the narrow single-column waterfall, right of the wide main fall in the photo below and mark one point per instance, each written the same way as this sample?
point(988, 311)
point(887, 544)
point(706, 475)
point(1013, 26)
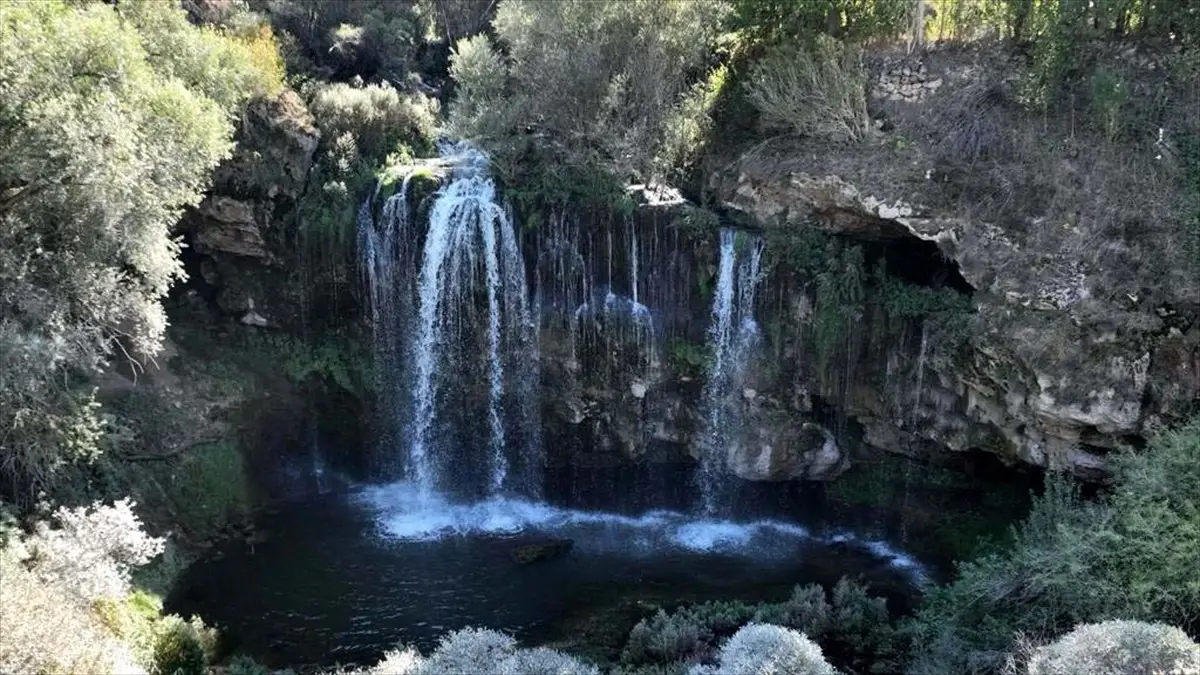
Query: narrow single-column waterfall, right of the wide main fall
point(733, 339)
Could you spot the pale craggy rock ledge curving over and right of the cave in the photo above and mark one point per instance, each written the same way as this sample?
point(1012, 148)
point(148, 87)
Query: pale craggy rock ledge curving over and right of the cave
point(1059, 371)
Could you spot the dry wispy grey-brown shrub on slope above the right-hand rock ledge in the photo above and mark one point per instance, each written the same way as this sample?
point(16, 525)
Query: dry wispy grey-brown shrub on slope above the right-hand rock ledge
point(819, 91)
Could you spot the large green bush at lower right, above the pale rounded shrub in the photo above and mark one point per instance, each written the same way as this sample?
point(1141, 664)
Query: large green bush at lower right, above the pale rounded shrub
point(1132, 554)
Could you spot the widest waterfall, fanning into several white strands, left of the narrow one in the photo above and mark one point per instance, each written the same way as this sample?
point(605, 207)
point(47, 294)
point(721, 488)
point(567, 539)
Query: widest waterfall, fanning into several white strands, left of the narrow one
point(455, 343)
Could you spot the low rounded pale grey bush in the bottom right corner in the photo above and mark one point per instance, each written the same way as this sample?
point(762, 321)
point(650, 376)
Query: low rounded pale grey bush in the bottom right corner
point(1117, 648)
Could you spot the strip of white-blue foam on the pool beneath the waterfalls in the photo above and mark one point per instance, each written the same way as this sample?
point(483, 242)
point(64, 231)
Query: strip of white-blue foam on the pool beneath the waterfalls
point(404, 512)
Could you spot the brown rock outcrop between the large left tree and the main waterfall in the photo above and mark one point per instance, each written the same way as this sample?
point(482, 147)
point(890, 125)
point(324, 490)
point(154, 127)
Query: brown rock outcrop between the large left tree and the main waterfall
point(242, 234)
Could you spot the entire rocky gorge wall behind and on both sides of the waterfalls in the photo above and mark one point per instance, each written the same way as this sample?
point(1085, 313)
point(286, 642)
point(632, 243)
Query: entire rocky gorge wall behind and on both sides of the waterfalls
point(887, 316)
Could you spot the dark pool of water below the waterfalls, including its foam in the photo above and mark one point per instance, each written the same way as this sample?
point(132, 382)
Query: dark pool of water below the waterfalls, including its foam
point(344, 577)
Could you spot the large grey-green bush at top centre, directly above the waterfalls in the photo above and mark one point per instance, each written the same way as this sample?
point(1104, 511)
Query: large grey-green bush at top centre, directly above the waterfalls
point(596, 81)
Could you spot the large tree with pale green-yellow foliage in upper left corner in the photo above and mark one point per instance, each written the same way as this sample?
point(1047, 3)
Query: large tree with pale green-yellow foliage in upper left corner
point(111, 123)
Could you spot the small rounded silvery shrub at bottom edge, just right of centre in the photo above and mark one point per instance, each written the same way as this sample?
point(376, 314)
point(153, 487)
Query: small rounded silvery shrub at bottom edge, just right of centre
point(761, 649)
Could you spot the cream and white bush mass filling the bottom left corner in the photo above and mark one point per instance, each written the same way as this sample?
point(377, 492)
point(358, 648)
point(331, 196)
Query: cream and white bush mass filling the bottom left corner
point(68, 608)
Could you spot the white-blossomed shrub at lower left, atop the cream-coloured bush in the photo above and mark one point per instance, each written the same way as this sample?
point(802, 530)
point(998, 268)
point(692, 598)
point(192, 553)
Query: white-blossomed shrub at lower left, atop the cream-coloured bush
point(93, 551)
